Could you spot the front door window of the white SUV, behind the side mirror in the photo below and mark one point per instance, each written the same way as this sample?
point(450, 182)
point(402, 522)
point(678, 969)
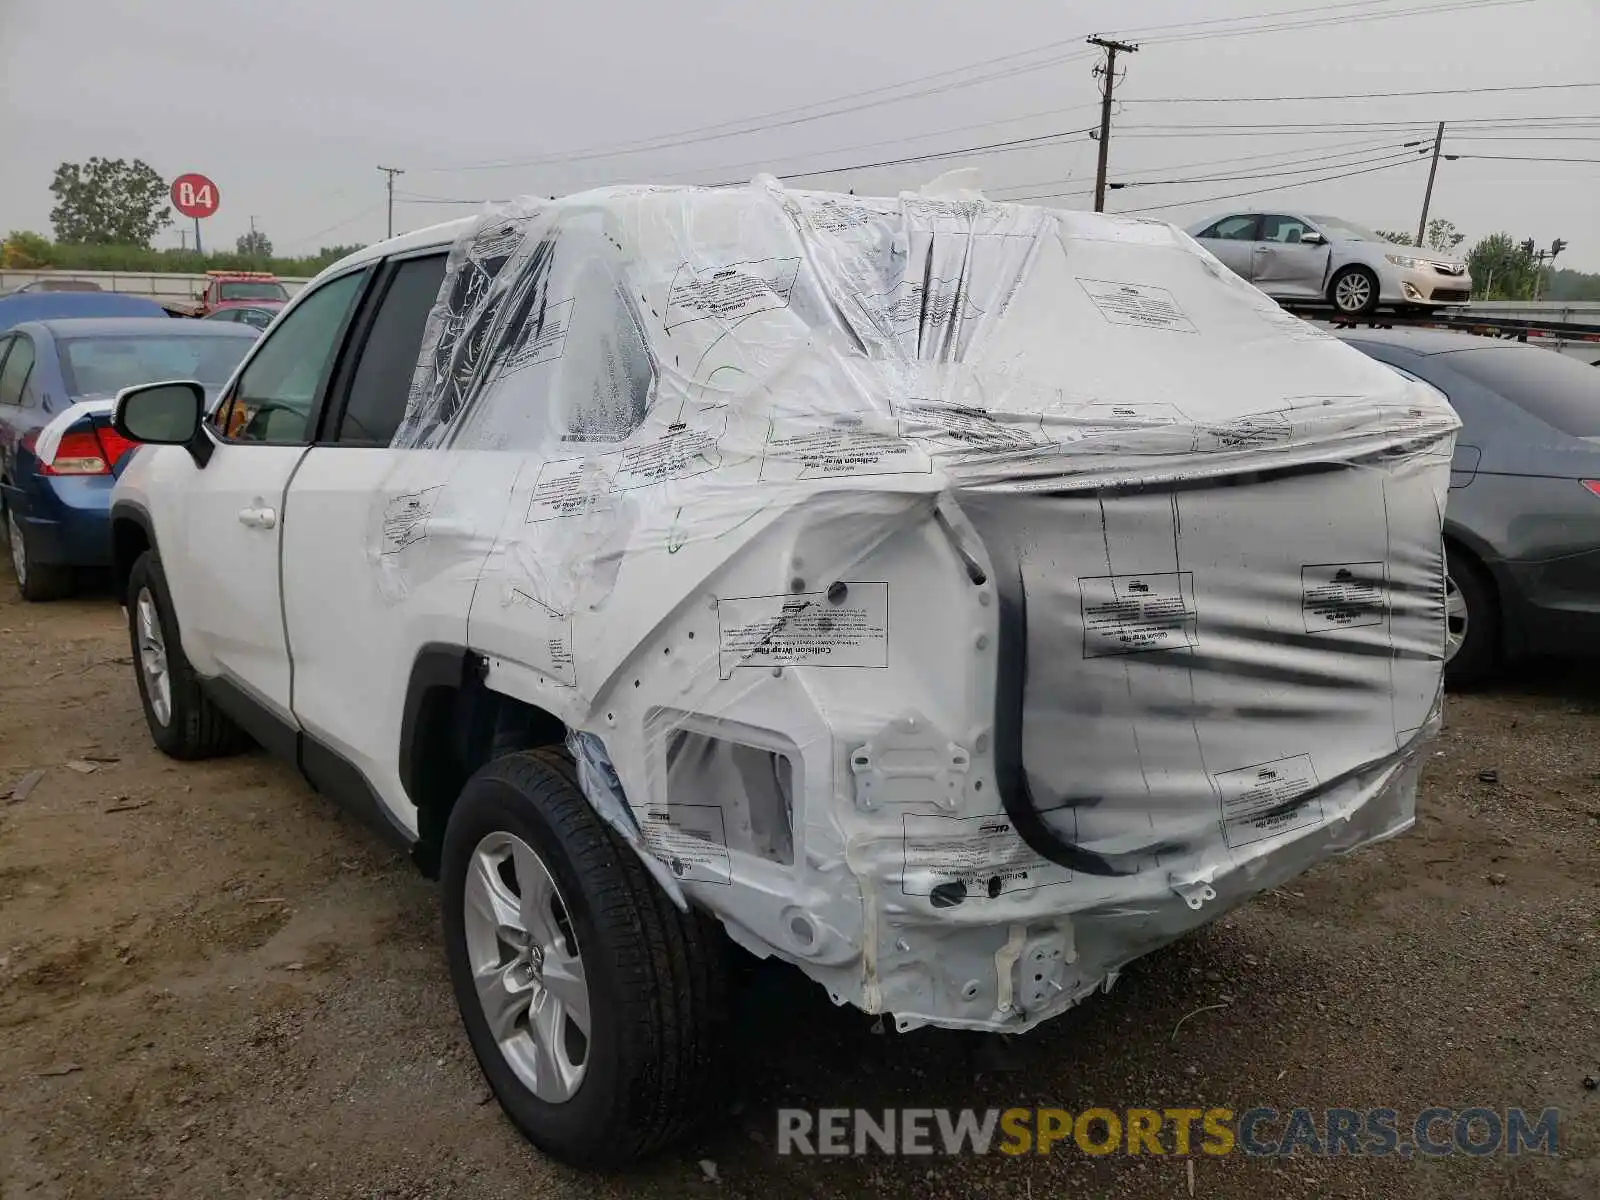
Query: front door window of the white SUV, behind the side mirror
point(276, 393)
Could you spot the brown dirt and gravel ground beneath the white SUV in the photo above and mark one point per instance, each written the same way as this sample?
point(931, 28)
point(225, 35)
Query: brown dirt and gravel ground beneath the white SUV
point(214, 985)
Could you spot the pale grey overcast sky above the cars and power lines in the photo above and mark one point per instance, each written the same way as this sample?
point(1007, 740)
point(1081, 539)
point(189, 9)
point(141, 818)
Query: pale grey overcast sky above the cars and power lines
point(292, 105)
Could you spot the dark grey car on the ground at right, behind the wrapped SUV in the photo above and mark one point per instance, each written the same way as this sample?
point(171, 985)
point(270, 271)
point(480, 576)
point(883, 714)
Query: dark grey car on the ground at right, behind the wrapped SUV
point(1522, 524)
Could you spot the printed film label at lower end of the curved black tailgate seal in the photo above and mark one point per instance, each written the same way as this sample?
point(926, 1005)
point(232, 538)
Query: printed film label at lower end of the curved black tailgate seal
point(983, 855)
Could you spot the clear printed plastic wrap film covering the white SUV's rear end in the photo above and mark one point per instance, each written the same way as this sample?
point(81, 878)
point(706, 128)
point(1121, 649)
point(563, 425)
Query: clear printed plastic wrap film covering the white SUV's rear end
point(956, 599)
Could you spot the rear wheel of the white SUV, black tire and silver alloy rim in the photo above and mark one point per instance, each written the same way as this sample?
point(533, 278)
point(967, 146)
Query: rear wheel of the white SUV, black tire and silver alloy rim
point(593, 1004)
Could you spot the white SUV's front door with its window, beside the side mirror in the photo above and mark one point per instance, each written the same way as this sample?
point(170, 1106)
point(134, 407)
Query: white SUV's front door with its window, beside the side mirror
point(225, 569)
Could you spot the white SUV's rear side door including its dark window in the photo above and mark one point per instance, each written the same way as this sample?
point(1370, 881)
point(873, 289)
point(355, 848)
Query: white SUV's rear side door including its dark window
point(372, 566)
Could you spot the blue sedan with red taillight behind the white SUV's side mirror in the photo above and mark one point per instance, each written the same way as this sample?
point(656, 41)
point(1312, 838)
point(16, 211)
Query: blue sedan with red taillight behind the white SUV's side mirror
point(58, 455)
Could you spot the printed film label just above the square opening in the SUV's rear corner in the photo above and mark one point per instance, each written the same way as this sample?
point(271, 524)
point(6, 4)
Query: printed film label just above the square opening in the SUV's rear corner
point(806, 630)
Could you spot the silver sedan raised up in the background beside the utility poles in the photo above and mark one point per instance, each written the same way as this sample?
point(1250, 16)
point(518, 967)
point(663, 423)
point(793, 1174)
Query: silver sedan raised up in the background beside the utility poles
point(1326, 260)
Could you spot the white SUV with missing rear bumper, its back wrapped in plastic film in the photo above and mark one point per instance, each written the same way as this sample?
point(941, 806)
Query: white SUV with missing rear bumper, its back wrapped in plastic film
point(953, 599)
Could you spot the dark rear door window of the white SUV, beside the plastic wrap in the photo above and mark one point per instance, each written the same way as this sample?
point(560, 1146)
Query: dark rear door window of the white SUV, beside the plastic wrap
point(383, 377)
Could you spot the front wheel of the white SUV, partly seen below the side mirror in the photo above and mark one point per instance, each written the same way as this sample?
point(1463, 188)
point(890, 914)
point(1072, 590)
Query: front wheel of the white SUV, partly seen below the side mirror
point(182, 721)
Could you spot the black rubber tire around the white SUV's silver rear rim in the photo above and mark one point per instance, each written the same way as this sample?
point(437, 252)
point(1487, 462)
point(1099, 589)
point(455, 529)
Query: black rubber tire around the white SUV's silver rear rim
point(657, 977)
